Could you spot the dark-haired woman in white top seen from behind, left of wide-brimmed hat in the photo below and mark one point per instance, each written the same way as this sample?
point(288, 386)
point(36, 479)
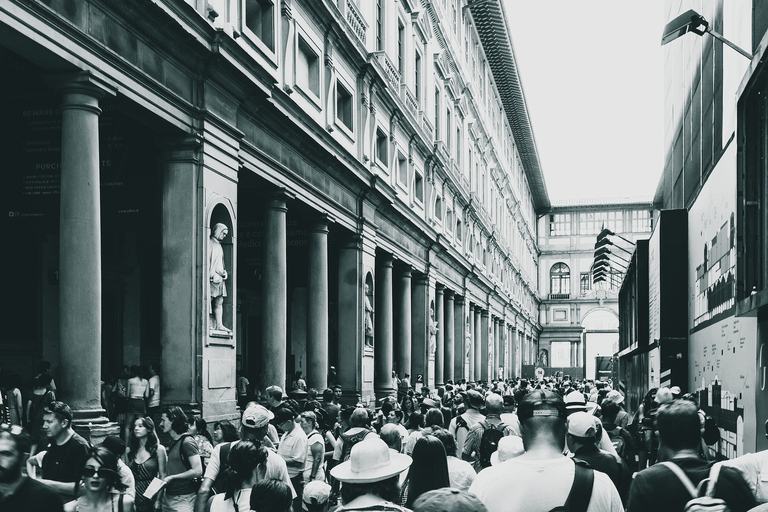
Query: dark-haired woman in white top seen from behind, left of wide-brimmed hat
point(243, 473)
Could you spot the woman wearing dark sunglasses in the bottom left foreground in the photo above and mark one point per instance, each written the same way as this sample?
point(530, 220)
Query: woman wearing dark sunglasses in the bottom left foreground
point(99, 478)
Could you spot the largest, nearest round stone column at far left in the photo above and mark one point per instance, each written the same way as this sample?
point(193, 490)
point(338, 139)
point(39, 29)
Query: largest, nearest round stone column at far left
point(80, 247)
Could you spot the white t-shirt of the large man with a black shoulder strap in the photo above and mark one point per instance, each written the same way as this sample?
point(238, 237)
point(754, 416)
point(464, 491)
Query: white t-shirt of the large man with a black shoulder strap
point(539, 486)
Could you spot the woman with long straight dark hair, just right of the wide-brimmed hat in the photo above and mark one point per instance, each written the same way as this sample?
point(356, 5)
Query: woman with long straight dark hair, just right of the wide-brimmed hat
point(428, 471)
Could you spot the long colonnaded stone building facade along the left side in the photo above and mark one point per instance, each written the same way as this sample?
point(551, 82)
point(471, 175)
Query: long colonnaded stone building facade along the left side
point(372, 162)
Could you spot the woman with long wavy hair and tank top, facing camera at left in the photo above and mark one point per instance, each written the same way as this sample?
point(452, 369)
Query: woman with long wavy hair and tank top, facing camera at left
point(146, 457)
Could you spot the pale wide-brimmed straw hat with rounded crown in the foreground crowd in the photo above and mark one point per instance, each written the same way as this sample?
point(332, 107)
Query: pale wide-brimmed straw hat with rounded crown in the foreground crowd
point(369, 461)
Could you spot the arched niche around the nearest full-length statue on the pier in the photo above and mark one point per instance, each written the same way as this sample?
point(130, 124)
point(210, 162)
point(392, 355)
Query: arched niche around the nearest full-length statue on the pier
point(220, 215)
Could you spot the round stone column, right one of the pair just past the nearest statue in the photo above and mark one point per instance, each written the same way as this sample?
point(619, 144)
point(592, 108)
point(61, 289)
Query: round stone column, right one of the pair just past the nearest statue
point(317, 306)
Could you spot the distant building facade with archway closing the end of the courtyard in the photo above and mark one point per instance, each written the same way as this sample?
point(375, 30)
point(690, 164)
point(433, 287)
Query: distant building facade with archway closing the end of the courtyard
point(579, 317)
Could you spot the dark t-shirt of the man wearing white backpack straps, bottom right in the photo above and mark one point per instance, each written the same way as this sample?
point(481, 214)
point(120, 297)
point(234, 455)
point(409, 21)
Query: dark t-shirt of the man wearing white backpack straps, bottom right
point(658, 489)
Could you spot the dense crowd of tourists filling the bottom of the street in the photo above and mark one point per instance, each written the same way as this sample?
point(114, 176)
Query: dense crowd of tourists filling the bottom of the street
point(502, 446)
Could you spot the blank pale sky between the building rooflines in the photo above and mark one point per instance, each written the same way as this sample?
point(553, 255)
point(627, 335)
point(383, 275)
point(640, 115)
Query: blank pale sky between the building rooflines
point(592, 73)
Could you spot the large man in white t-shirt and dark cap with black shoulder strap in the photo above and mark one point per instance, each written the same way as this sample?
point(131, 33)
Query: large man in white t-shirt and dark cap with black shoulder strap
point(541, 478)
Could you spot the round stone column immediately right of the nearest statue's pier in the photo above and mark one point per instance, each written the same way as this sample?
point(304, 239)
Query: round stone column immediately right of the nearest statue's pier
point(274, 318)
